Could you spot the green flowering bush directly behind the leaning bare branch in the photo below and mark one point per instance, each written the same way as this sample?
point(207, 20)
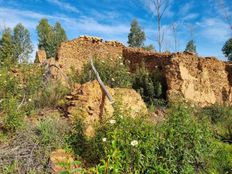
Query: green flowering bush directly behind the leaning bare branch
point(113, 73)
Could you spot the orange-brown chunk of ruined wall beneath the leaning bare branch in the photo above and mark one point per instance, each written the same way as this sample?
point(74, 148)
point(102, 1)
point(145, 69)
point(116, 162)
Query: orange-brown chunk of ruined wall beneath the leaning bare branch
point(93, 107)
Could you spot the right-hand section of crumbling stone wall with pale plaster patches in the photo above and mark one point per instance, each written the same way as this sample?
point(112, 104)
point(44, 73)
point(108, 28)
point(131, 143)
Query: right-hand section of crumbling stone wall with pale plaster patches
point(202, 80)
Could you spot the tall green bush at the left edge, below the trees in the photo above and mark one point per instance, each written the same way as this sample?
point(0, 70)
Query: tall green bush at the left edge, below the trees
point(17, 90)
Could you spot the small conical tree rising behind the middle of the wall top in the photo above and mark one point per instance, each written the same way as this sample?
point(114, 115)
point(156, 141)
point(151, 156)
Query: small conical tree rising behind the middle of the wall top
point(136, 36)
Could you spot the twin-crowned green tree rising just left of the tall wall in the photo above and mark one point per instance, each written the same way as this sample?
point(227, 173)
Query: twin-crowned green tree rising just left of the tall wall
point(50, 37)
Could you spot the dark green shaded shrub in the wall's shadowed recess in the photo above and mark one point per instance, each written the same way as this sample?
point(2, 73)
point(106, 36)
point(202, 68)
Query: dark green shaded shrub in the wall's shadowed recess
point(151, 86)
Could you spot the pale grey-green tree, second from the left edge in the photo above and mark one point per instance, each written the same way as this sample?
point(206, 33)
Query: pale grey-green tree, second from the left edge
point(22, 43)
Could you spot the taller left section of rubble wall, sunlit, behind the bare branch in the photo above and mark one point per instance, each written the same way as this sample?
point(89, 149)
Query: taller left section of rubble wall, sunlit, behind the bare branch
point(76, 53)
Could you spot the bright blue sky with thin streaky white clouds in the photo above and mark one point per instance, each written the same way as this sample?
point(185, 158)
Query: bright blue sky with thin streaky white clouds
point(110, 20)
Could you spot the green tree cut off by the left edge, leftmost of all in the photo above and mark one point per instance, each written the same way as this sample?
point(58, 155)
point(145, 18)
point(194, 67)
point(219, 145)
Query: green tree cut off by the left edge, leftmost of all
point(6, 47)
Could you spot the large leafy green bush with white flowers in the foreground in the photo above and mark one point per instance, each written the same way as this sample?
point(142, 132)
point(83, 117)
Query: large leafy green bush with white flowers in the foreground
point(127, 145)
